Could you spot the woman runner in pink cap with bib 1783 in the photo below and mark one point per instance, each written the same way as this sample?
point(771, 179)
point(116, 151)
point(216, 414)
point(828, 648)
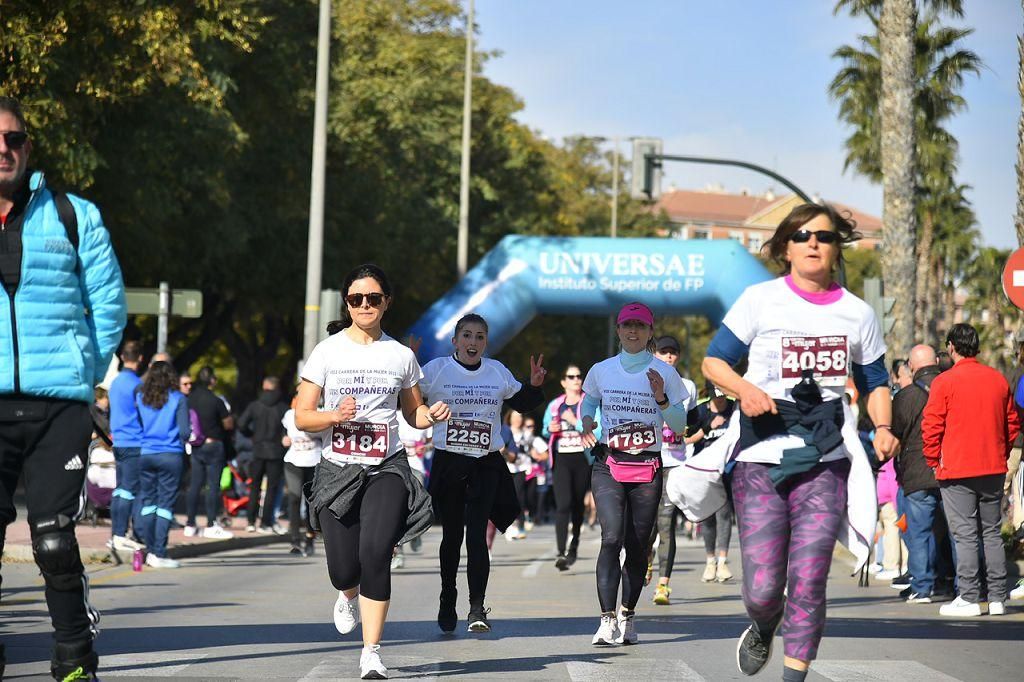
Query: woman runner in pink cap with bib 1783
point(637, 394)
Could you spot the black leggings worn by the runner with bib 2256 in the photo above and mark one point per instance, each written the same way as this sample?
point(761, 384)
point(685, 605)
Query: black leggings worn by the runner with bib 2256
point(464, 496)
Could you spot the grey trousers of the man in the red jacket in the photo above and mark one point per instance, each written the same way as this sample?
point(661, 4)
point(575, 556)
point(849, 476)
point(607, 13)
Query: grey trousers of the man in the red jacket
point(970, 503)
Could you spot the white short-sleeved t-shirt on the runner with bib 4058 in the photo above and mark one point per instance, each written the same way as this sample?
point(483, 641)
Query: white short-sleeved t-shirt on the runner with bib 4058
point(788, 334)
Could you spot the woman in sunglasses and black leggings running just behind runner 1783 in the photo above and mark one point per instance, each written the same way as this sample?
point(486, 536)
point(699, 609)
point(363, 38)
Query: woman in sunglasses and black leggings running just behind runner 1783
point(570, 464)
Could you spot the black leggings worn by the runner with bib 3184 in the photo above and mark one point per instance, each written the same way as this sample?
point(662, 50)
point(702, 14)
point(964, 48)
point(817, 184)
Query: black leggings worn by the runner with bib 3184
point(360, 545)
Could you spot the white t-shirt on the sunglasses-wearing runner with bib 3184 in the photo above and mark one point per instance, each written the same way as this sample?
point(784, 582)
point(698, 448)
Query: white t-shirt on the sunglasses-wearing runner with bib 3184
point(372, 374)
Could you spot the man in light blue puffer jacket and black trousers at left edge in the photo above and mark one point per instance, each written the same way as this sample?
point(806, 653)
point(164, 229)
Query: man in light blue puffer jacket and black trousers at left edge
point(62, 315)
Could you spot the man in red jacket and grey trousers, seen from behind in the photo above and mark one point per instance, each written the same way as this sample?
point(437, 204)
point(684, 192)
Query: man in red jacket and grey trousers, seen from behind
point(967, 431)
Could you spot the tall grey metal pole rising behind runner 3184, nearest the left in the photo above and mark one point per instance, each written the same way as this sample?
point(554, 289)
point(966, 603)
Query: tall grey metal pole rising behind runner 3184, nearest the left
point(315, 253)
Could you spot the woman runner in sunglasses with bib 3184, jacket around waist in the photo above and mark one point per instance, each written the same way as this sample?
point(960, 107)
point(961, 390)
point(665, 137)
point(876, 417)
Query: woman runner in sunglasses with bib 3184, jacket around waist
point(365, 498)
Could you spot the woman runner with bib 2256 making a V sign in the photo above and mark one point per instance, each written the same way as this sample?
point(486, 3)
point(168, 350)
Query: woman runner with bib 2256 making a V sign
point(470, 482)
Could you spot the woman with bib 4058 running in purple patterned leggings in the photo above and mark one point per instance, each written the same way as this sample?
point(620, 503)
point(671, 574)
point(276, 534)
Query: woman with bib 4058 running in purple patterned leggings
point(803, 334)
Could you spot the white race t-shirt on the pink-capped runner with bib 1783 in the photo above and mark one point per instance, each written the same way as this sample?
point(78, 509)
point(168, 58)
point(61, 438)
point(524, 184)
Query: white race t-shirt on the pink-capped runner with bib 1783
point(631, 421)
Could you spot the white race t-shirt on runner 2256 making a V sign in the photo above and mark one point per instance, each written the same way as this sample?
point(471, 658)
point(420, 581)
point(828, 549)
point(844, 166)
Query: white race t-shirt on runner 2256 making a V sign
point(476, 399)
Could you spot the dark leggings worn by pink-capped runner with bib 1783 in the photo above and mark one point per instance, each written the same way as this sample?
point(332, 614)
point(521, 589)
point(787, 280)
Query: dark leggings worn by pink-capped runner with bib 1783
point(628, 514)
